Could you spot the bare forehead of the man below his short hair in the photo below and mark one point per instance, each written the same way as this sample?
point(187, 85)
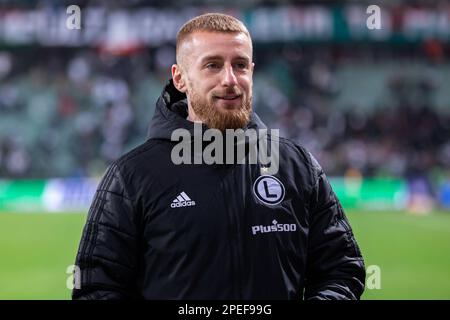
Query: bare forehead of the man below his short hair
point(206, 43)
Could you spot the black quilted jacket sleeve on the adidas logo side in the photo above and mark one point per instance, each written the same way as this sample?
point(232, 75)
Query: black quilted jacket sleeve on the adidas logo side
point(107, 256)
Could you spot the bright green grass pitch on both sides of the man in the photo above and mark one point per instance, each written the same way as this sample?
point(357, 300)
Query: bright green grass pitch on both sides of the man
point(412, 253)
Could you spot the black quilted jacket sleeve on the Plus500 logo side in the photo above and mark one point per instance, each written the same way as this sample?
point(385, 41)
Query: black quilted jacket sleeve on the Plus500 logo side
point(335, 267)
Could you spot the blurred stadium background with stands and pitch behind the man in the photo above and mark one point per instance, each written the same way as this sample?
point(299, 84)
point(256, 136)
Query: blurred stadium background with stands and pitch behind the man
point(372, 105)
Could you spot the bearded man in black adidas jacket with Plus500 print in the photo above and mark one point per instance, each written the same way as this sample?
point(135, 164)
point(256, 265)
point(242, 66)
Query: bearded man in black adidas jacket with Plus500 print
point(159, 230)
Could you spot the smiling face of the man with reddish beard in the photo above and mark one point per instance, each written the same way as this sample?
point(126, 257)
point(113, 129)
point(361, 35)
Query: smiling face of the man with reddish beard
point(218, 72)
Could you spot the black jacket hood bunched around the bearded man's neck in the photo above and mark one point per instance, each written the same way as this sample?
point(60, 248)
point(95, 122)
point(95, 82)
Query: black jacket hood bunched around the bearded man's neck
point(171, 112)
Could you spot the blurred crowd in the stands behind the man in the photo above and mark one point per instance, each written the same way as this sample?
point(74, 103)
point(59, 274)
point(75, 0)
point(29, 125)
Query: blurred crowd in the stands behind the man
point(68, 113)
